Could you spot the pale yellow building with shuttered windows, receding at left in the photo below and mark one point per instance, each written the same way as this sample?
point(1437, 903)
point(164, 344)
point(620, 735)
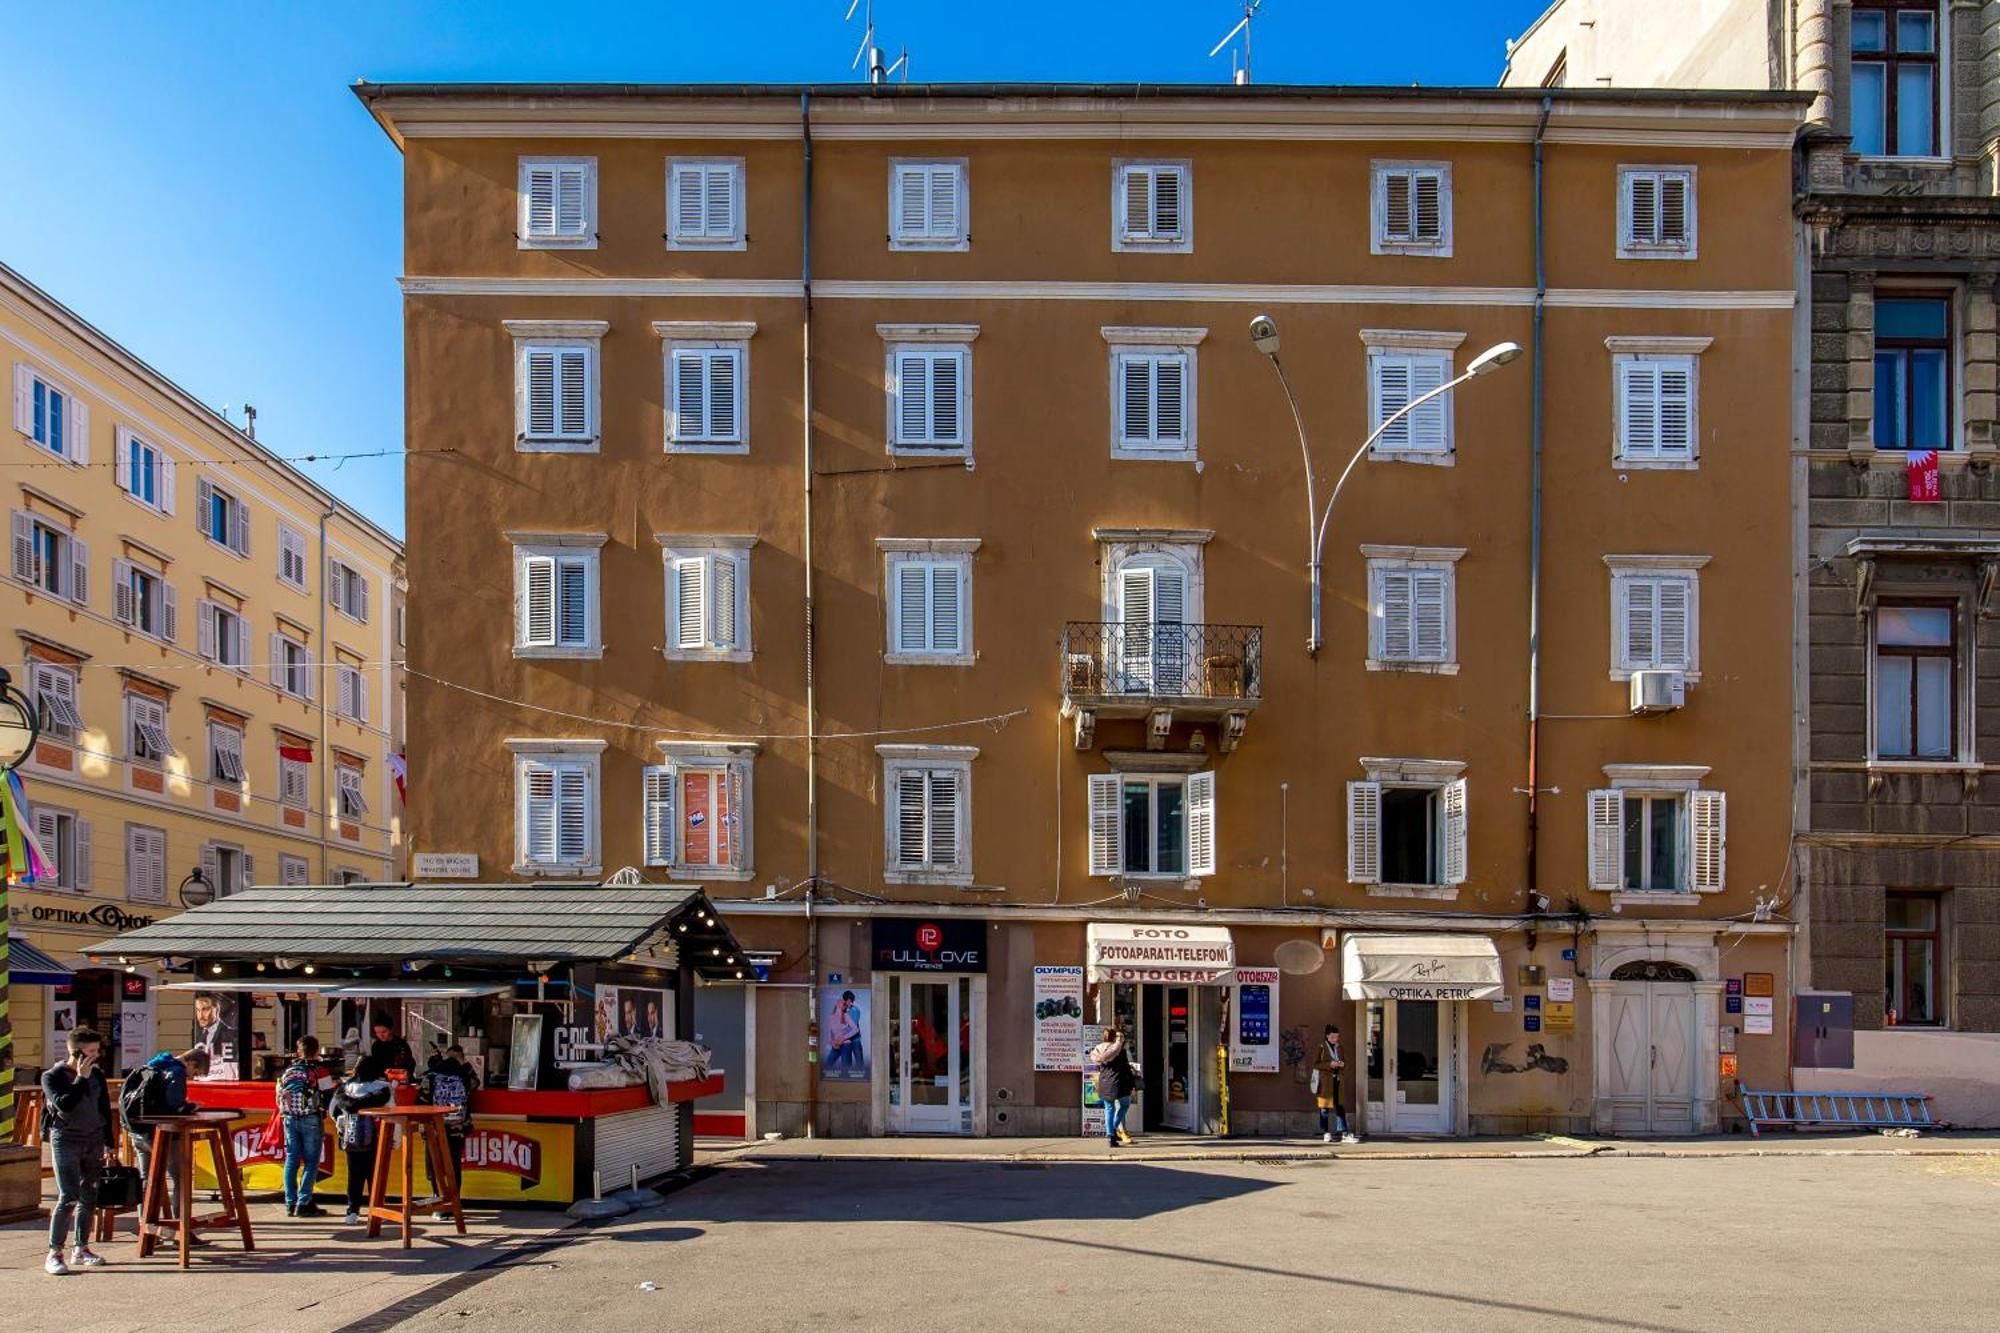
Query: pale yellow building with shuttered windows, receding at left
point(211, 641)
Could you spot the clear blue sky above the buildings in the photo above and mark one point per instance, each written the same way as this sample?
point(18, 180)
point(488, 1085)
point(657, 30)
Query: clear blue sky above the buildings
point(199, 181)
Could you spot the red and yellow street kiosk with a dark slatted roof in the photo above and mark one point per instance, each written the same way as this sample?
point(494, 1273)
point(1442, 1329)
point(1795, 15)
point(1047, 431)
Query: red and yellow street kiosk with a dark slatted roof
point(529, 978)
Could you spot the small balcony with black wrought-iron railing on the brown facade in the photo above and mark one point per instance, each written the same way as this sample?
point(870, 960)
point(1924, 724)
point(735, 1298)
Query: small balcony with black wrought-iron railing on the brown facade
point(1159, 672)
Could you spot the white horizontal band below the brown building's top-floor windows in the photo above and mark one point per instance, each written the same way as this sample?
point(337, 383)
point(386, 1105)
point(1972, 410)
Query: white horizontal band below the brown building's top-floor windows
point(1227, 293)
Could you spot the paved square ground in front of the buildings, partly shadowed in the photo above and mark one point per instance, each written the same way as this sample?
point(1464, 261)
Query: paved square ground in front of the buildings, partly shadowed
point(1825, 1244)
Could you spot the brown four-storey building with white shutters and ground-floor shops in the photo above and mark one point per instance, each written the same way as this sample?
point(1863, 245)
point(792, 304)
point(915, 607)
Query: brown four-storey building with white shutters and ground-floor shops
point(967, 371)
